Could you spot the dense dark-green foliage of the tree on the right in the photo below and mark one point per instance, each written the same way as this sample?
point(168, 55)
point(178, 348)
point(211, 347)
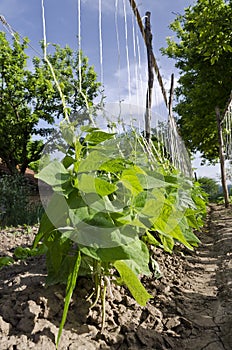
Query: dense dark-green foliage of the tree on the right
point(202, 49)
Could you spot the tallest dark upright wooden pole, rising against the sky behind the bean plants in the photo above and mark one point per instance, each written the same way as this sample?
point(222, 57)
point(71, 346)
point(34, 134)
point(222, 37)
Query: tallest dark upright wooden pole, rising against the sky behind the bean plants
point(148, 37)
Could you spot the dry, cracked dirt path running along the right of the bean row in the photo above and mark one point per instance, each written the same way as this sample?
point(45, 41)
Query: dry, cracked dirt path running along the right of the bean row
point(206, 291)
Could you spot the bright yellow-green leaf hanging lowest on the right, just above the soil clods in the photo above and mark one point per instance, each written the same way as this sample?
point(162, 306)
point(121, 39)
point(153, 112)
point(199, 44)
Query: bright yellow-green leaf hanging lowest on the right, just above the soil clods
point(133, 283)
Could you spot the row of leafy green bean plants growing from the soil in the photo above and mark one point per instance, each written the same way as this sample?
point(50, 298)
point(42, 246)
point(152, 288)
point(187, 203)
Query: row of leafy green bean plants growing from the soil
point(113, 198)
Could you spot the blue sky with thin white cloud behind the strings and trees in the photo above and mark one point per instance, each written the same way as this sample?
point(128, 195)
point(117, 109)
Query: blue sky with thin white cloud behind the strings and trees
point(110, 40)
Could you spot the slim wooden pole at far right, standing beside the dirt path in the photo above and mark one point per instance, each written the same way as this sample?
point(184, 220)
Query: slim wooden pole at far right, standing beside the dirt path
point(222, 158)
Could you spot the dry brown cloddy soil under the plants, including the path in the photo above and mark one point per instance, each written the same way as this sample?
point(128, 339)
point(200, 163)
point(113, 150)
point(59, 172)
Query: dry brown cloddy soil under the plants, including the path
point(191, 308)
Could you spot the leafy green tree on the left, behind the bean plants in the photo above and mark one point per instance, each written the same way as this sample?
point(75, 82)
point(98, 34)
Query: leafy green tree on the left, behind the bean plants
point(28, 97)
